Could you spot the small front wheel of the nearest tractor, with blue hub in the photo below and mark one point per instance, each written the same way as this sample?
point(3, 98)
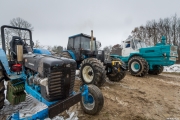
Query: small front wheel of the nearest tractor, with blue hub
point(95, 101)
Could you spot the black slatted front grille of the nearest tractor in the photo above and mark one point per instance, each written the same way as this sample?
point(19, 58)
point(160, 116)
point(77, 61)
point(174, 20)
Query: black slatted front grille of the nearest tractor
point(60, 82)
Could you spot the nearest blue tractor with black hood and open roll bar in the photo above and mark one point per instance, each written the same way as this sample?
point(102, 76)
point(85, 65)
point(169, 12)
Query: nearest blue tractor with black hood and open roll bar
point(48, 79)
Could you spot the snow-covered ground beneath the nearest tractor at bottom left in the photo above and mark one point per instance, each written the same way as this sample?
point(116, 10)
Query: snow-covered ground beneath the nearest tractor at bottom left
point(30, 107)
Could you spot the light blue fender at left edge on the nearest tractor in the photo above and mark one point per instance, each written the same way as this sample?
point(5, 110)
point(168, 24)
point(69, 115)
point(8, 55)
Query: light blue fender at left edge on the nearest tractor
point(4, 61)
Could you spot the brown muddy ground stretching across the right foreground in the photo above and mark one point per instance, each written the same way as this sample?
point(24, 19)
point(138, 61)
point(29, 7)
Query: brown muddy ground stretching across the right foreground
point(154, 97)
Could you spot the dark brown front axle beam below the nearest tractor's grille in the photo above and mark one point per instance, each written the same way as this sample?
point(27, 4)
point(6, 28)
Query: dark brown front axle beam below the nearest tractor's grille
point(59, 107)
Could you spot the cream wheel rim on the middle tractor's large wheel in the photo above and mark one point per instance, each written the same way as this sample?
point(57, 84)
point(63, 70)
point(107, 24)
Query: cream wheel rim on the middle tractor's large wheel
point(88, 74)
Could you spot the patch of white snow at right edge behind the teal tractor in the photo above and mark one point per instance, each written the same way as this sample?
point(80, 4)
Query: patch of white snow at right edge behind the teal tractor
point(172, 68)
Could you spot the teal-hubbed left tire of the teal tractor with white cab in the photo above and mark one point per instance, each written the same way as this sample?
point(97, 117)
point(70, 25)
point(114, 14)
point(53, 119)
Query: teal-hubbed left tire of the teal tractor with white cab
point(138, 66)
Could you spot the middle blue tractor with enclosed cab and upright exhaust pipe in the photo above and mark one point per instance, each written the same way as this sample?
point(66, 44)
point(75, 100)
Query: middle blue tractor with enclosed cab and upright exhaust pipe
point(93, 65)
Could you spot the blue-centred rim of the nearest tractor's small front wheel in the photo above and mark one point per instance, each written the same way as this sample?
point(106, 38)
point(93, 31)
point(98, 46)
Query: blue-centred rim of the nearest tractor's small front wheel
point(90, 104)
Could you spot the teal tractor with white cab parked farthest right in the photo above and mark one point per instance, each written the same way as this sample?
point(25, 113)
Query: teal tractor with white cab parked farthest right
point(141, 59)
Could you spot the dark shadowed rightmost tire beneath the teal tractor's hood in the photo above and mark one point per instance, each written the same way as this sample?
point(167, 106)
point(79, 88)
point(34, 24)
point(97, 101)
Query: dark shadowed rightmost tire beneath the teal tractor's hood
point(157, 69)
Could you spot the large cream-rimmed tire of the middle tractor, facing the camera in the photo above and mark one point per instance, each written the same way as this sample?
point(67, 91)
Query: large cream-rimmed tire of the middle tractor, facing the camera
point(92, 71)
